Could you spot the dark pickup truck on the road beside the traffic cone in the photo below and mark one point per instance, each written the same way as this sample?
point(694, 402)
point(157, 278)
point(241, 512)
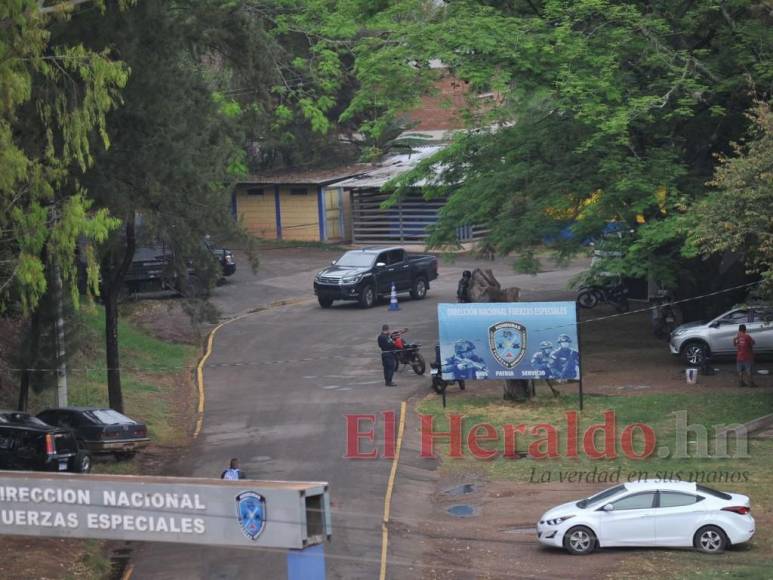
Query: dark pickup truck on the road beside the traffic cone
point(364, 275)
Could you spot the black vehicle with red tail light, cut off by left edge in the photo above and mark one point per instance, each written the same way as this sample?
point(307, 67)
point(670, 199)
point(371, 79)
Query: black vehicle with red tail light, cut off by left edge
point(27, 443)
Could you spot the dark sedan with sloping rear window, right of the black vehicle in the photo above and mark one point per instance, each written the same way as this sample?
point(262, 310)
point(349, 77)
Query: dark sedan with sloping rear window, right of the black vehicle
point(100, 430)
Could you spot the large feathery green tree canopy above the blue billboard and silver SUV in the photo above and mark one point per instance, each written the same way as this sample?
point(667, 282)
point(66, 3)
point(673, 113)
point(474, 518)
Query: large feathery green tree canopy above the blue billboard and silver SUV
point(603, 110)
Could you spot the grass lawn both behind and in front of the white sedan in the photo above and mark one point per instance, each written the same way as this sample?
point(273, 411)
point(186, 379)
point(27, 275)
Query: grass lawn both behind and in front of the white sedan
point(751, 475)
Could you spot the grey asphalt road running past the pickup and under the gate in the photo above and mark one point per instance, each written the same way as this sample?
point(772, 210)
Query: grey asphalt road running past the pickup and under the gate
point(279, 384)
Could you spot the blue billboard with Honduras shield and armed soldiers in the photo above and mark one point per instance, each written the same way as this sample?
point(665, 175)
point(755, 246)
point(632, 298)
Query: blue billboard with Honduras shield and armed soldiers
point(517, 340)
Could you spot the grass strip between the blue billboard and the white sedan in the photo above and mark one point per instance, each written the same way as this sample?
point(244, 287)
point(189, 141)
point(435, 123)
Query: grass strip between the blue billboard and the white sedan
point(655, 410)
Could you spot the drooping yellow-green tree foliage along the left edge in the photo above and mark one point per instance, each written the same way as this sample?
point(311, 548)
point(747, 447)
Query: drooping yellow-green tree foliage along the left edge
point(53, 98)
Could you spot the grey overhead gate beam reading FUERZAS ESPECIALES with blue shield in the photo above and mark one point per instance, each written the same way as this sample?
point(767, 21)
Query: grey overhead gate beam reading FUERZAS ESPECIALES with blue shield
point(179, 510)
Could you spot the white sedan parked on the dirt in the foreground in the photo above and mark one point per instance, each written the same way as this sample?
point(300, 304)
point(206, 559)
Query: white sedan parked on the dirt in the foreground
point(650, 513)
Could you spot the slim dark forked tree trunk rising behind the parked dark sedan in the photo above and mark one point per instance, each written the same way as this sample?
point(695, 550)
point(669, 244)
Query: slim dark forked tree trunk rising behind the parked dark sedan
point(112, 288)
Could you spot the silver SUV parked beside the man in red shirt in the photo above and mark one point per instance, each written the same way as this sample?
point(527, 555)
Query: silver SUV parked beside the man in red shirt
point(697, 341)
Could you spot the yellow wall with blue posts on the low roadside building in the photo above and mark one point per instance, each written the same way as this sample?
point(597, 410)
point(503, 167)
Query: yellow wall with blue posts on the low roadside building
point(300, 217)
